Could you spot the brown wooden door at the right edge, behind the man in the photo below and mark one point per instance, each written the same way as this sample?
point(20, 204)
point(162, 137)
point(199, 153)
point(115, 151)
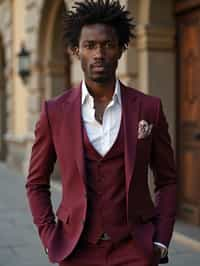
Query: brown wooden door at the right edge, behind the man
point(188, 138)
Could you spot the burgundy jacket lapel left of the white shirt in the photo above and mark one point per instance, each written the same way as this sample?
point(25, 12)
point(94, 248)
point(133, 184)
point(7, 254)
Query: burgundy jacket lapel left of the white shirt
point(73, 128)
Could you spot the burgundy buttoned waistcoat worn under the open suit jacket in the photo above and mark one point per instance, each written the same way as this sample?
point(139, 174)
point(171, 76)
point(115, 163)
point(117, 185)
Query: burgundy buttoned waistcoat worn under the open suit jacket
point(106, 191)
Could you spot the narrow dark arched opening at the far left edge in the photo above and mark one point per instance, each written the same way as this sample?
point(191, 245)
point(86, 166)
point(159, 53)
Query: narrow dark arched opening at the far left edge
point(3, 113)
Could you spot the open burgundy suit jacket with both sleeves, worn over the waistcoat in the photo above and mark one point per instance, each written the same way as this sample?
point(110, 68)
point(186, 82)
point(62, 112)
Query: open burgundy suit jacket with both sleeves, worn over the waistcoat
point(58, 137)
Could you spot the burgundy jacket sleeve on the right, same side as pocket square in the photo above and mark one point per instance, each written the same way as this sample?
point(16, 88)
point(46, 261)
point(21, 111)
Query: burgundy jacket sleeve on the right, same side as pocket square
point(163, 168)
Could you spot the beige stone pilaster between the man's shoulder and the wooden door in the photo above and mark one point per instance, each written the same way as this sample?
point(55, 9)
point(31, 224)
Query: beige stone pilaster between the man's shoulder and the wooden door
point(156, 66)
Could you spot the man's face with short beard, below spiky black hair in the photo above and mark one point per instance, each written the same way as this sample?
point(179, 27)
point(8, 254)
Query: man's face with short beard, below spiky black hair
point(99, 52)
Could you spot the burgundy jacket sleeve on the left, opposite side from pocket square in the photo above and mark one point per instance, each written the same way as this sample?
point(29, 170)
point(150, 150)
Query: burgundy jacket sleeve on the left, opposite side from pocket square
point(42, 161)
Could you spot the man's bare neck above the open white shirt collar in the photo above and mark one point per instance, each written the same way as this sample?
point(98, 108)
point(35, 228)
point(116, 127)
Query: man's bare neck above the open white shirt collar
point(101, 91)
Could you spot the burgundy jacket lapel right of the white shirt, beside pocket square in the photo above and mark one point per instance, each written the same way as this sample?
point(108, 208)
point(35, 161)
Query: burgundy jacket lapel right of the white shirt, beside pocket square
point(130, 108)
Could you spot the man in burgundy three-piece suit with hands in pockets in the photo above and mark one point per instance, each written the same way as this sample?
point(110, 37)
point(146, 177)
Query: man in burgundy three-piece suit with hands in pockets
point(104, 136)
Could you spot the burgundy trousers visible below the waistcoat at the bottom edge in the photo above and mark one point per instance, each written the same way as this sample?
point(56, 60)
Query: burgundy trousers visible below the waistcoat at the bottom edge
point(105, 253)
